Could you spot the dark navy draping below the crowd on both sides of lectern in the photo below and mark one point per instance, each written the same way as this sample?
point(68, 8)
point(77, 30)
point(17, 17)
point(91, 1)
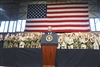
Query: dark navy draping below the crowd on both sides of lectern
point(65, 57)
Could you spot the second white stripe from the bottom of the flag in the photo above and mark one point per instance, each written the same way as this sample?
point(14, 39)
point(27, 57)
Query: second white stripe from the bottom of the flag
point(59, 23)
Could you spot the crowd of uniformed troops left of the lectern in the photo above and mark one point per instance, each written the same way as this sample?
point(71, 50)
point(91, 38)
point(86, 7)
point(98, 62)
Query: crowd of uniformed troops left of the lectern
point(22, 40)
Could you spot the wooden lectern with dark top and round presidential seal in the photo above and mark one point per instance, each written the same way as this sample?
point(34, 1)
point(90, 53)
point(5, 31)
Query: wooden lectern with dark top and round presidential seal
point(49, 45)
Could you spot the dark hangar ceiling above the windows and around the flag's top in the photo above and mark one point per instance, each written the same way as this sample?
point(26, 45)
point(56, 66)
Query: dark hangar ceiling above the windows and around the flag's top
point(17, 9)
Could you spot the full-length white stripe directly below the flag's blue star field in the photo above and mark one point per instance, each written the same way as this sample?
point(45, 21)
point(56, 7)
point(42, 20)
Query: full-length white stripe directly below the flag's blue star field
point(85, 18)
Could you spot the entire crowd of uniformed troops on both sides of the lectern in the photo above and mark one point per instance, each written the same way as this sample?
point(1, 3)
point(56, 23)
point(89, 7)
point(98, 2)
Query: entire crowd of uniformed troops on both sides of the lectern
point(65, 40)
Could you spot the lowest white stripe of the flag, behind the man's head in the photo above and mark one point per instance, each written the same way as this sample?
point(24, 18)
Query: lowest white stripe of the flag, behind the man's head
point(58, 28)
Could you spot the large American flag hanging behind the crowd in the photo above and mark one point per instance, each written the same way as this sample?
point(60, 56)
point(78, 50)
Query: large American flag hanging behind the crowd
point(63, 17)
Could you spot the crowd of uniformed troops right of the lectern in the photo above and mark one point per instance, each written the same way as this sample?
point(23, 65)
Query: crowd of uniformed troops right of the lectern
point(79, 41)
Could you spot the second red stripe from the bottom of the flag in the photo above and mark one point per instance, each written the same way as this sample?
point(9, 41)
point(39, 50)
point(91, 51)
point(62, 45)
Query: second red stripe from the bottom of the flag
point(29, 26)
